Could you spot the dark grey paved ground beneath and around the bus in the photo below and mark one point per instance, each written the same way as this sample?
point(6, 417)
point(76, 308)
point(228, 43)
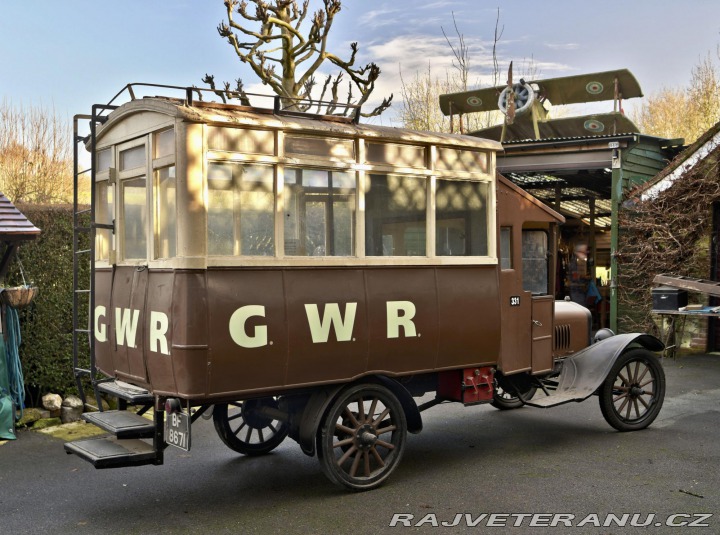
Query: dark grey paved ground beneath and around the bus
point(468, 461)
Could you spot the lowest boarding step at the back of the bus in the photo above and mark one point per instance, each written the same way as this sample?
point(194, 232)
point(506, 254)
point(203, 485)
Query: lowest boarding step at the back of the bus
point(111, 452)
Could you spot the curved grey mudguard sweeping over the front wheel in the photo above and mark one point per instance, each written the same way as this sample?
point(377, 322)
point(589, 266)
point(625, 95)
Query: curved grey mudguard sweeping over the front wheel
point(585, 371)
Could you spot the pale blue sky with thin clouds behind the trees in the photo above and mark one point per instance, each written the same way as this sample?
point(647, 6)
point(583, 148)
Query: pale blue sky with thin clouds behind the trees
point(68, 55)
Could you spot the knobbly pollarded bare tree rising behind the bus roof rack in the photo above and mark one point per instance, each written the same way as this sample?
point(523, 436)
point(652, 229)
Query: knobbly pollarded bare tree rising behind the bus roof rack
point(288, 60)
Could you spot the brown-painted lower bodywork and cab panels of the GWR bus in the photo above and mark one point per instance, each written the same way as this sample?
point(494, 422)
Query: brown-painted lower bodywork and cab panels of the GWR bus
point(462, 317)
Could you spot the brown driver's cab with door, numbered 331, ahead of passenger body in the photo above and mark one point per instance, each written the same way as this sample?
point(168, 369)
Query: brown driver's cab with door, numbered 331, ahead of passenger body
point(527, 237)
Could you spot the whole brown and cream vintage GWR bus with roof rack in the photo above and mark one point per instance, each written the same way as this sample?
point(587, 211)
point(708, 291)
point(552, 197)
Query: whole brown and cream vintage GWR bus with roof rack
point(311, 277)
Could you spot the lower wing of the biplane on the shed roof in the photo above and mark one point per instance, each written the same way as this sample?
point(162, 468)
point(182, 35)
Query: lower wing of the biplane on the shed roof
point(566, 127)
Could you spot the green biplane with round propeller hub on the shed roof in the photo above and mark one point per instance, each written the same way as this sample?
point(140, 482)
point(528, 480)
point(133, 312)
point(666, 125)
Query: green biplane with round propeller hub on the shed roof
point(526, 117)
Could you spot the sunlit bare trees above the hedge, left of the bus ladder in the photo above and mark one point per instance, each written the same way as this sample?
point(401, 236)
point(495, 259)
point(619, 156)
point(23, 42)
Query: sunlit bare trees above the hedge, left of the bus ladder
point(35, 155)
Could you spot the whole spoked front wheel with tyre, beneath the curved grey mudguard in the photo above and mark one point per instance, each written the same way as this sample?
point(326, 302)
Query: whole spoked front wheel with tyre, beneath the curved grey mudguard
point(633, 392)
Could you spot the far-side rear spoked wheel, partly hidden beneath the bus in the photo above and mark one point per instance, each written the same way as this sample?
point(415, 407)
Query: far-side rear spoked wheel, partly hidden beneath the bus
point(243, 427)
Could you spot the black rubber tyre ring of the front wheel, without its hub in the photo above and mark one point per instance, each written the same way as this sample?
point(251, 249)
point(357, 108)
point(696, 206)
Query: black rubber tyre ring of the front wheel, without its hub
point(607, 406)
